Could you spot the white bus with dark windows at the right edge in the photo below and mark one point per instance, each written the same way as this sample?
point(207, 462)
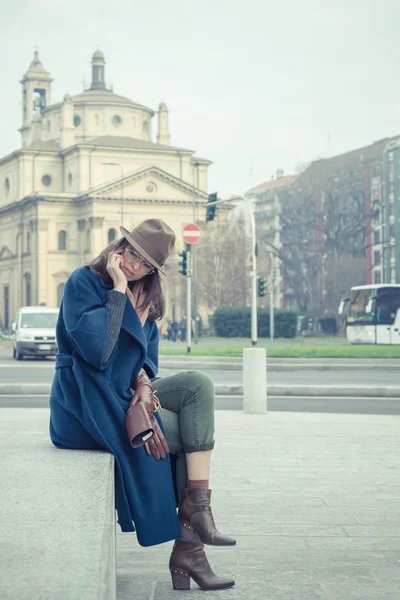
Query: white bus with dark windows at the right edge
point(373, 314)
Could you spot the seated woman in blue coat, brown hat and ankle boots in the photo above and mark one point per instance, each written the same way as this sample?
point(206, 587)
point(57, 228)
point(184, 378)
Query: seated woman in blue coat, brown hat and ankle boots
point(108, 344)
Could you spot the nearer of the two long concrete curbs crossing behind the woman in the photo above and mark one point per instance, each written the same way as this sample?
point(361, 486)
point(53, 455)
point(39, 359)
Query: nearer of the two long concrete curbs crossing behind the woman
point(43, 389)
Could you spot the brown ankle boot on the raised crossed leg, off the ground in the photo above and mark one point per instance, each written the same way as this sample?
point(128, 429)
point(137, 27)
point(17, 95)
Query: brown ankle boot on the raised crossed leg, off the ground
point(196, 509)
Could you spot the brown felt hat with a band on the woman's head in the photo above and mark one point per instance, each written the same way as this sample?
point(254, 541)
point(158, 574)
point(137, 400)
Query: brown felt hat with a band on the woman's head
point(153, 239)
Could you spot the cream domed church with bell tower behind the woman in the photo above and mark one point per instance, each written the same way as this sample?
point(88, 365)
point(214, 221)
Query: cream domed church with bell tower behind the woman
point(86, 166)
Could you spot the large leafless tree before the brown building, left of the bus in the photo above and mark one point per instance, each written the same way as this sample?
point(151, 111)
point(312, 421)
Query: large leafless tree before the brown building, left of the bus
point(323, 230)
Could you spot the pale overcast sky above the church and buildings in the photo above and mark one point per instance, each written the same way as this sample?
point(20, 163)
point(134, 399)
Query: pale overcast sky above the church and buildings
point(253, 85)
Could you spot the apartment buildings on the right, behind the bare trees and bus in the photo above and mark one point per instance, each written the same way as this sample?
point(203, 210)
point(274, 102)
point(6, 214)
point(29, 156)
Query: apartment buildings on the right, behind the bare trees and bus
point(335, 225)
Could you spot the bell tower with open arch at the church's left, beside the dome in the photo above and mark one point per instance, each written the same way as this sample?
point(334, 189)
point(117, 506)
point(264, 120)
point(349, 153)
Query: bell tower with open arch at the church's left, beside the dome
point(36, 93)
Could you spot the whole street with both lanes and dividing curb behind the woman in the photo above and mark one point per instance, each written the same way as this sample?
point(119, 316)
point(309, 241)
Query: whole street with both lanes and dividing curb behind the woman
point(302, 386)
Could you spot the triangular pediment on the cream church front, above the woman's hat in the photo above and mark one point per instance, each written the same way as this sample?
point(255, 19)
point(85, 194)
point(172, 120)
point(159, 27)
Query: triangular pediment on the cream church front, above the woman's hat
point(149, 184)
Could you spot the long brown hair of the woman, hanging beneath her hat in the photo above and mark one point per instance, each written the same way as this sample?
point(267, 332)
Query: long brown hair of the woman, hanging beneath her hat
point(151, 283)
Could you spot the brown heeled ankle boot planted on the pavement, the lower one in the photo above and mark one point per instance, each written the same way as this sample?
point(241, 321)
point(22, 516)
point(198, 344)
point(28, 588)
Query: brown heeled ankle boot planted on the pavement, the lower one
point(188, 560)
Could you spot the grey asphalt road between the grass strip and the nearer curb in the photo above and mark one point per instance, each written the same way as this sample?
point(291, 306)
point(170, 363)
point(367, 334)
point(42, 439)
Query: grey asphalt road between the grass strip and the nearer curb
point(41, 371)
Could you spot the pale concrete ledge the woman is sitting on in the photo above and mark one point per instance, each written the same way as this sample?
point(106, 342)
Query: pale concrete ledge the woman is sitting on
point(57, 515)
